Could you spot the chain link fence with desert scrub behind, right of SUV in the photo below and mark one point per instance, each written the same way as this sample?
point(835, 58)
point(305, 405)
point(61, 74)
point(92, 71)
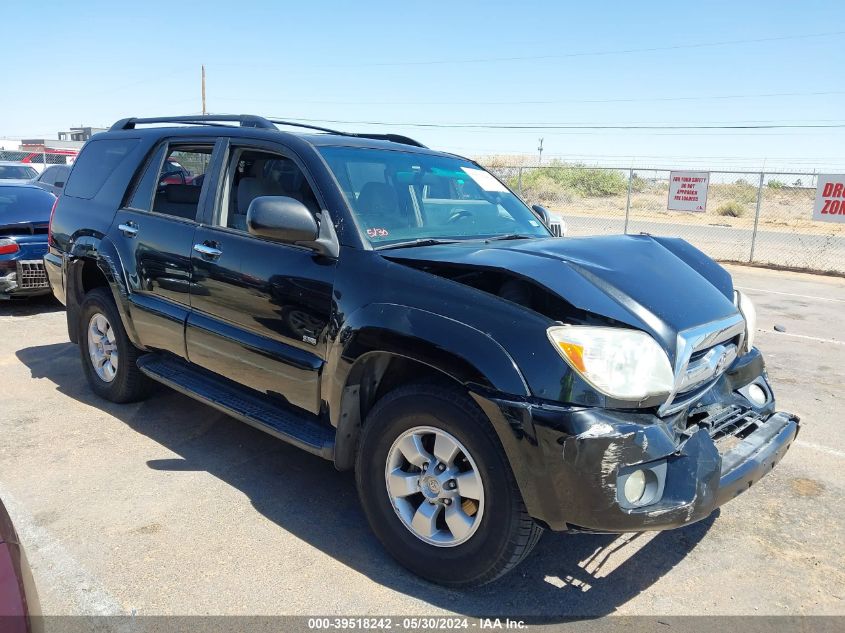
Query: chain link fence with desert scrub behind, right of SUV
point(753, 217)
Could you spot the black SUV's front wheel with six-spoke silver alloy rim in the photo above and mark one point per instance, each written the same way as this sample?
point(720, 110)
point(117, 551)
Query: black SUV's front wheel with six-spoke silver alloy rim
point(437, 488)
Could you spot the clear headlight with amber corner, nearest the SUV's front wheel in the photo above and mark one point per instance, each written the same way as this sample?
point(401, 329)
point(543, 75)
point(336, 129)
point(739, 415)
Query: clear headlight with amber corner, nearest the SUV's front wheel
point(623, 364)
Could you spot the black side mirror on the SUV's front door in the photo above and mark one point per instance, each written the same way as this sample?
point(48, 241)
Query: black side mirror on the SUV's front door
point(282, 219)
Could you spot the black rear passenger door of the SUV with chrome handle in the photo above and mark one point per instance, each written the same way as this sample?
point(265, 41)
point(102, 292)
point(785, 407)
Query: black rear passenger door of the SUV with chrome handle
point(154, 232)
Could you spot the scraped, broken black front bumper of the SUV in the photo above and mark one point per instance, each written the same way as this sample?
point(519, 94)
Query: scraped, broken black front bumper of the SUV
point(570, 462)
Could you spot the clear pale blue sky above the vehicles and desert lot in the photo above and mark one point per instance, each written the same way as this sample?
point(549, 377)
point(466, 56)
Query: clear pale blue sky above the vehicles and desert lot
point(92, 63)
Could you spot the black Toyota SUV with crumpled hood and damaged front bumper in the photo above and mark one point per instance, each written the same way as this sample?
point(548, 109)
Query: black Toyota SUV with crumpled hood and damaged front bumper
point(400, 312)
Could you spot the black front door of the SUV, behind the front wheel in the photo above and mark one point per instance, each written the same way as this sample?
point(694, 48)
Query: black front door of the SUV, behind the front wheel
point(260, 308)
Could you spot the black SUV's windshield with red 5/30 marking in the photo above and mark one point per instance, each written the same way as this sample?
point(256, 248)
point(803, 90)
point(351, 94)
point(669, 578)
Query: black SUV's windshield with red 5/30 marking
point(400, 196)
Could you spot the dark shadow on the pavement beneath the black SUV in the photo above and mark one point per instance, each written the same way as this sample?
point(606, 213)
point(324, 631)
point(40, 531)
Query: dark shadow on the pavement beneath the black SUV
point(566, 576)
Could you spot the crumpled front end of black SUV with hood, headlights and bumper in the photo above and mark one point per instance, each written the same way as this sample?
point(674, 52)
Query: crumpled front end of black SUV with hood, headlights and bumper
point(660, 410)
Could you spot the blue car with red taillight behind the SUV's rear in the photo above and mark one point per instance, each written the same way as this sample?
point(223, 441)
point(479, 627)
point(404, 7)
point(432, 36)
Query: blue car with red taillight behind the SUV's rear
point(24, 222)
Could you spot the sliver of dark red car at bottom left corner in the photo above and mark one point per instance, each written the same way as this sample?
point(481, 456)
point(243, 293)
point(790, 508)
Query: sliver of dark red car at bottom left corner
point(18, 599)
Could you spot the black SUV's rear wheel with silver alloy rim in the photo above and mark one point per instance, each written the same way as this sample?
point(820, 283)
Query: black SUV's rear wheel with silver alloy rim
point(108, 357)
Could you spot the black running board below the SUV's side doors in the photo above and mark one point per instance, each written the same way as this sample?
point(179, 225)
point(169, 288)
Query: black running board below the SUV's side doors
point(299, 429)
